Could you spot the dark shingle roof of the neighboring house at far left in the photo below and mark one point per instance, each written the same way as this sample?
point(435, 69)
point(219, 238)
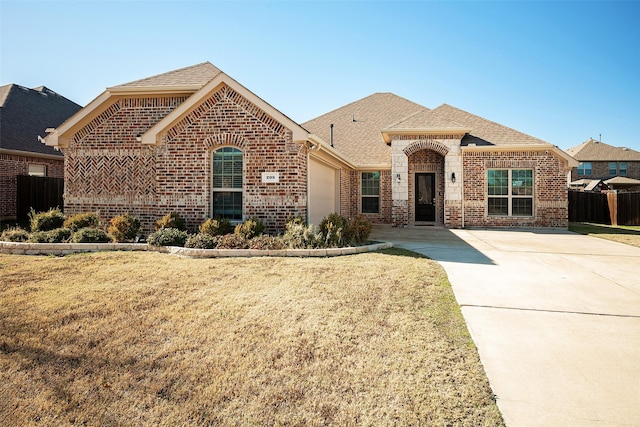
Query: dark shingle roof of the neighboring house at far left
point(26, 113)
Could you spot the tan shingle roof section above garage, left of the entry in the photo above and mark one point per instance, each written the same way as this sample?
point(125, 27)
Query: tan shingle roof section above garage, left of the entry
point(357, 126)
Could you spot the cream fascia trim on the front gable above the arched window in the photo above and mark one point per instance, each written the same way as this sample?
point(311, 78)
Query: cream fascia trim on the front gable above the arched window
point(151, 136)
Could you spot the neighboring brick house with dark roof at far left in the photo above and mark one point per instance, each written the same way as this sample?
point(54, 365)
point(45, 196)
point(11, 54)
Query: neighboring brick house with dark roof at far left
point(24, 115)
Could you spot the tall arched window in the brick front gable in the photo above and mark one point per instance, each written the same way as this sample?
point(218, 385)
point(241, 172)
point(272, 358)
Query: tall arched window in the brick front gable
point(227, 183)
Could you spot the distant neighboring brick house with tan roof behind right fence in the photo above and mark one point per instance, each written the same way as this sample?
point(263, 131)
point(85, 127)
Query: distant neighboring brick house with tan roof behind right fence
point(598, 160)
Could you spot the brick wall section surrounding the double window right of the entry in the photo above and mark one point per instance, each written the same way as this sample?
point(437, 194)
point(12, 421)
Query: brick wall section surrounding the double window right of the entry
point(550, 200)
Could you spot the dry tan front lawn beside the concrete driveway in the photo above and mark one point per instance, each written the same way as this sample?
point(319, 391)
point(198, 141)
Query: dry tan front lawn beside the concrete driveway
point(151, 339)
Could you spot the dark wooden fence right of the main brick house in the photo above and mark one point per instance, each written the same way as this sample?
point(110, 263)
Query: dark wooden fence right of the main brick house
point(604, 208)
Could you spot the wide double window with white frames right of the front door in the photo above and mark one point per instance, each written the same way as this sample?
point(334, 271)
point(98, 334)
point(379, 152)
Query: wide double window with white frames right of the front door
point(510, 192)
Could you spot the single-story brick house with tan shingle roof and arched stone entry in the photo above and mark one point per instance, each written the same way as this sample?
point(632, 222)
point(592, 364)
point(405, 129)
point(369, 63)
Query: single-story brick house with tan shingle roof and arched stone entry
point(197, 142)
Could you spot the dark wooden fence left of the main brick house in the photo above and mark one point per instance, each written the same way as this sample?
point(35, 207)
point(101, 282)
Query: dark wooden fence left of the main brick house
point(39, 193)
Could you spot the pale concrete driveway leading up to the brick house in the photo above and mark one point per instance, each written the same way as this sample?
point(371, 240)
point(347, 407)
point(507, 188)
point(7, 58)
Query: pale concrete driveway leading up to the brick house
point(555, 317)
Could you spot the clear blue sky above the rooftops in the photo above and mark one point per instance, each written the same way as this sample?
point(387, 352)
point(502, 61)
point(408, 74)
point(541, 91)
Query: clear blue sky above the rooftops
point(560, 71)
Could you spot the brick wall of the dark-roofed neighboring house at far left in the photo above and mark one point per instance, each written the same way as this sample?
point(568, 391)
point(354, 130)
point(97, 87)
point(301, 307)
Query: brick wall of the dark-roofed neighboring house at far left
point(12, 165)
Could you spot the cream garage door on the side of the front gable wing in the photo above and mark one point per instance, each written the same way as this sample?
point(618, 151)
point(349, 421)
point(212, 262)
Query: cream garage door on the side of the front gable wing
point(323, 191)
